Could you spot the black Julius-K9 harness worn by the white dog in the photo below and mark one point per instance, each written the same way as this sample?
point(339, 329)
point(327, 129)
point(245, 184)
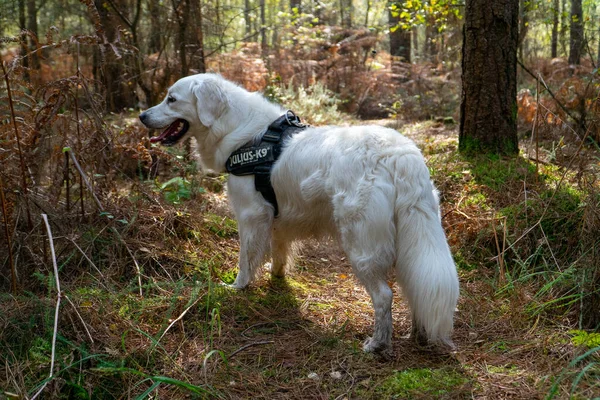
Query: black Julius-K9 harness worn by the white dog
point(257, 158)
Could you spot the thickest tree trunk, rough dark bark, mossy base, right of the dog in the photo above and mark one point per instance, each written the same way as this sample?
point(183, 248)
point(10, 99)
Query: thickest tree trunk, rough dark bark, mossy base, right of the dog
point(488, 120)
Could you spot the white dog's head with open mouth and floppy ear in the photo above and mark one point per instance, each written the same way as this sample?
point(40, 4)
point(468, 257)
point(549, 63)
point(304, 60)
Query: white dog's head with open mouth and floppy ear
point(193, 104)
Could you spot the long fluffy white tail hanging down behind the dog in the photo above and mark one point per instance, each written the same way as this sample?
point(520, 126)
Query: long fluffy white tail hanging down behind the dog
point(424, 267)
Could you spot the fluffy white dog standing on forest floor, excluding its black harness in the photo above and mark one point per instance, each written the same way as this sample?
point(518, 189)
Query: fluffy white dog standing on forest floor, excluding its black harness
point(367, 186)
